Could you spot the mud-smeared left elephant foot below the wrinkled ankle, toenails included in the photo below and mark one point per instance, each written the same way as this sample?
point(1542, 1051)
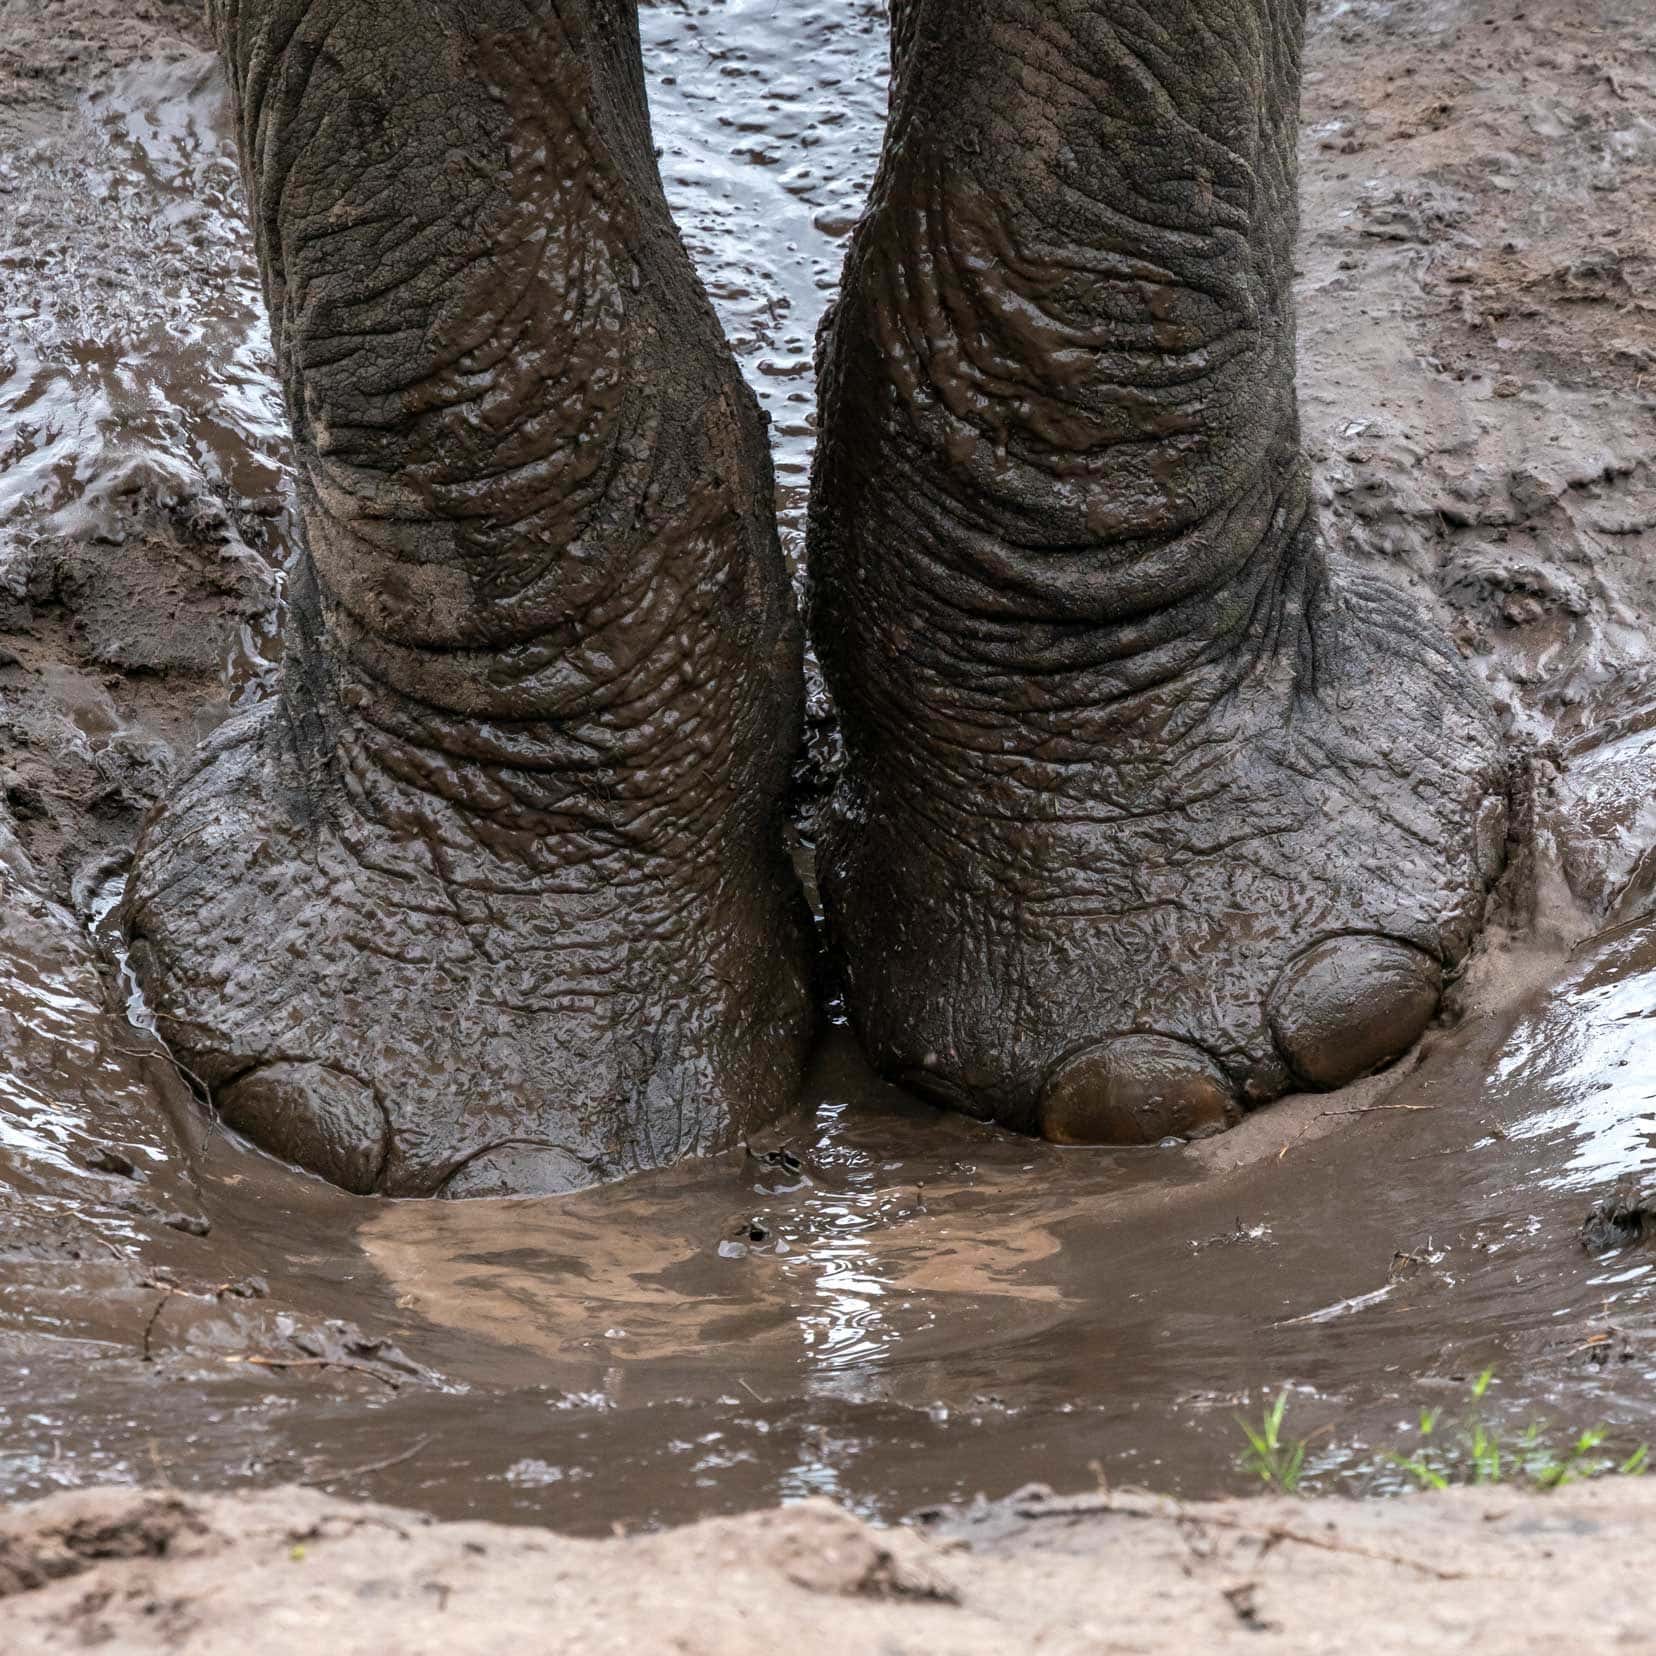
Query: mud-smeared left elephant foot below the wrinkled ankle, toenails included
point(375, 993)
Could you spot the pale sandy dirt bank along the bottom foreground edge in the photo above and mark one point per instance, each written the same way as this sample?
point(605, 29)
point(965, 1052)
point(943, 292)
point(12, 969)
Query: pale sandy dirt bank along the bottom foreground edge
point(294, 1571)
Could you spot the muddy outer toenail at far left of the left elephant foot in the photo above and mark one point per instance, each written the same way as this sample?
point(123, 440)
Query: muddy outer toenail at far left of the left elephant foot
point(312, 1115)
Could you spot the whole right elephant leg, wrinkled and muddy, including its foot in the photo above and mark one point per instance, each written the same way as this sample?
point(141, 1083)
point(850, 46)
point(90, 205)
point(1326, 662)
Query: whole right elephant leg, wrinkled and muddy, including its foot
point(1150, 811)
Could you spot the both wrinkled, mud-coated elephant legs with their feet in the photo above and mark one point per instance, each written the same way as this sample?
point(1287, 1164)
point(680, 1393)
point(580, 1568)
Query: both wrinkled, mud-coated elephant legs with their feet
point(1147, 814)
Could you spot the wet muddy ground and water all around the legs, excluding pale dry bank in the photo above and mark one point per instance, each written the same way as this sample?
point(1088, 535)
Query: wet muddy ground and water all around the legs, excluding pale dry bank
point(882, 1304)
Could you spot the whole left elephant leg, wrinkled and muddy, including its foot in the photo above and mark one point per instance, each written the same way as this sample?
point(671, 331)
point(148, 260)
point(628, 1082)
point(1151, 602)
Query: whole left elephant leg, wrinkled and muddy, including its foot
point(493, 897)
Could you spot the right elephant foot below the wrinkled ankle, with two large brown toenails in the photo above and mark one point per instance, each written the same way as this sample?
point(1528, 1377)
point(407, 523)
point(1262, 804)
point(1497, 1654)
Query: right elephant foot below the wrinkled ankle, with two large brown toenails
point(1258, 879)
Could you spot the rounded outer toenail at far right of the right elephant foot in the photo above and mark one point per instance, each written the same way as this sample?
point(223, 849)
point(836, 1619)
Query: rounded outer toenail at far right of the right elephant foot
point(1350, 1006)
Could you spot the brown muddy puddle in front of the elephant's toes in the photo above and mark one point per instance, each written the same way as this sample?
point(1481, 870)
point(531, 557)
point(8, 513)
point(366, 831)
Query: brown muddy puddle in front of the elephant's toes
point(885, 1304)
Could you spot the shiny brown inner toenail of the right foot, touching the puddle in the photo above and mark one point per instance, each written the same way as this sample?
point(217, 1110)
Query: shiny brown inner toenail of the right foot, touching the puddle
point(1137, 1090)
